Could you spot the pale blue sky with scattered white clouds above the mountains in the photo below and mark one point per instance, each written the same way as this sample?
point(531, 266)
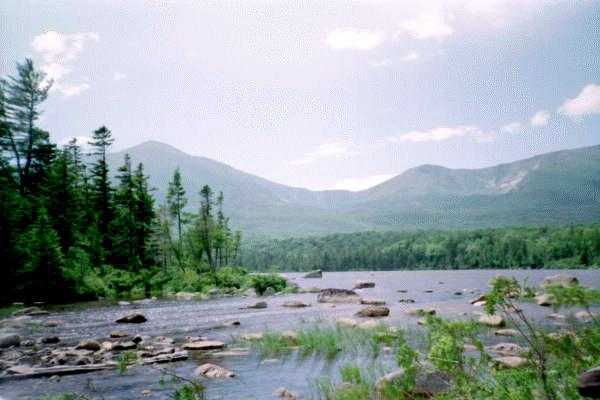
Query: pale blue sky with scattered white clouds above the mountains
point(318, 94)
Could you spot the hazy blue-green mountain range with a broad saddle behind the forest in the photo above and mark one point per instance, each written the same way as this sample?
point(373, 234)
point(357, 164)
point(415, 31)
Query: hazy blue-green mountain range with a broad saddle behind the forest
point(559, 187)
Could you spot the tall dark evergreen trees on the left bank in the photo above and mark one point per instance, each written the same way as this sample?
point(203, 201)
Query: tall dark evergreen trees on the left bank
point(70, 230)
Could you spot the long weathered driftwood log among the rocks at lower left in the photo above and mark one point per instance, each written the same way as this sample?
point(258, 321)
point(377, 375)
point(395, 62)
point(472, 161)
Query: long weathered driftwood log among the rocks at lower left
point(25, 372)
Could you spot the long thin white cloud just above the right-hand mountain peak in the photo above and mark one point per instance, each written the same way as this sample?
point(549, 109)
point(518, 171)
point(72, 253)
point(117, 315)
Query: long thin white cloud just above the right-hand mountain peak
point(444, 133)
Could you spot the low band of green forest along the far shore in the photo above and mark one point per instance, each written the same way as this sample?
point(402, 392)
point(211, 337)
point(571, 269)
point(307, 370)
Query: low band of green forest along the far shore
point(525, 247)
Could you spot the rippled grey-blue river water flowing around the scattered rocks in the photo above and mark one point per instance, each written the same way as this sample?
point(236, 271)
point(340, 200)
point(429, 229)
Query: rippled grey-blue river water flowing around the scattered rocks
point(258, 378)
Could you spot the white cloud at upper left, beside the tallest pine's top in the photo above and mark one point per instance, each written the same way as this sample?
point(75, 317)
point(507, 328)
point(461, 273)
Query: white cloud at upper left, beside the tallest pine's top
point(58, 52)
